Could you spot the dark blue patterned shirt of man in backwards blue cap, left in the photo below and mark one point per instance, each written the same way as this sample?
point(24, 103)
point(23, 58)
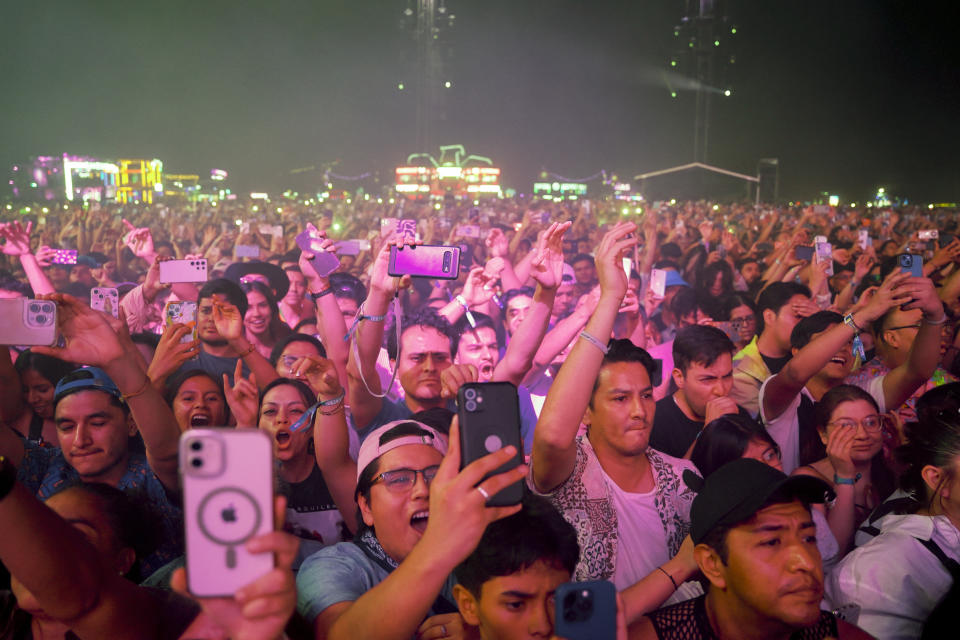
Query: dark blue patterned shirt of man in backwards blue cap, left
point(46, 472)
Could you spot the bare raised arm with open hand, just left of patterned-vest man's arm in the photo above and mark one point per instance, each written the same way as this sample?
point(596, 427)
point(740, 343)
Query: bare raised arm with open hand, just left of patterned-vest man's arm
point(547, 271)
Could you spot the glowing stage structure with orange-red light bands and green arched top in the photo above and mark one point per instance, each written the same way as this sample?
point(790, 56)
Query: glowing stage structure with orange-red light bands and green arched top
point(455, 175)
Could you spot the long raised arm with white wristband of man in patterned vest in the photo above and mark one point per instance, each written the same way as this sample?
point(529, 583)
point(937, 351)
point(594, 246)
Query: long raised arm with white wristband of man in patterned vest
point(554, 448)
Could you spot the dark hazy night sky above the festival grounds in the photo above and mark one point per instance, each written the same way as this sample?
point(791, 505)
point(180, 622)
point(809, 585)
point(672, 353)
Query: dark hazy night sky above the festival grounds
point(848, 94)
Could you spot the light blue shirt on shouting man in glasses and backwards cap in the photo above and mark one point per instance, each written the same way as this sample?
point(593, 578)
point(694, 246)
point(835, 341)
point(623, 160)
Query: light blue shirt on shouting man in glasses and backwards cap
point(342, 573)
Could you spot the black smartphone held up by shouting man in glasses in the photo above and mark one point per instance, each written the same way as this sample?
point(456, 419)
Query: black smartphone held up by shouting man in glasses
point(489, 421)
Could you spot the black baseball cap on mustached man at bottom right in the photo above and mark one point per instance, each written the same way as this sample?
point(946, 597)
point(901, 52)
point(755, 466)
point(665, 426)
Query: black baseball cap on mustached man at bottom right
point(736, 491)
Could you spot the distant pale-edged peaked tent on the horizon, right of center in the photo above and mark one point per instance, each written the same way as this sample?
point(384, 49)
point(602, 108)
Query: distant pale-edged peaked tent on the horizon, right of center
point(697, 180)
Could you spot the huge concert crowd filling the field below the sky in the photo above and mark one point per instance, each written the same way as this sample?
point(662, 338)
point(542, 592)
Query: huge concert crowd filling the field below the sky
point(747, 418)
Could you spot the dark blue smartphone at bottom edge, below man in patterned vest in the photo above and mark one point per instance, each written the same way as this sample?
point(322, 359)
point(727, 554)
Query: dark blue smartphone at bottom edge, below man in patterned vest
point(586, 611)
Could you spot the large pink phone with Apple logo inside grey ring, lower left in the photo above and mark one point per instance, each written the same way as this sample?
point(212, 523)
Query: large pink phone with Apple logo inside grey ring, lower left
point(227, 499)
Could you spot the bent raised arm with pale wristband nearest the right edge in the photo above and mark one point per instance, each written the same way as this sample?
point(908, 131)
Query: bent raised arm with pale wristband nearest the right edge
point(899, 384)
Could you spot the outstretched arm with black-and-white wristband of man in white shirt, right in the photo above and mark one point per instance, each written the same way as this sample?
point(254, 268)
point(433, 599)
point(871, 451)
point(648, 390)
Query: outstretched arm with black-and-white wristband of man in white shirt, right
point(784, 387)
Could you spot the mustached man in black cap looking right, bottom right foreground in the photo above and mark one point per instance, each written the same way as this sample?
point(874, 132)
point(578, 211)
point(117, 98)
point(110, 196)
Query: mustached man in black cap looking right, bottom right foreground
point(756, 544)
